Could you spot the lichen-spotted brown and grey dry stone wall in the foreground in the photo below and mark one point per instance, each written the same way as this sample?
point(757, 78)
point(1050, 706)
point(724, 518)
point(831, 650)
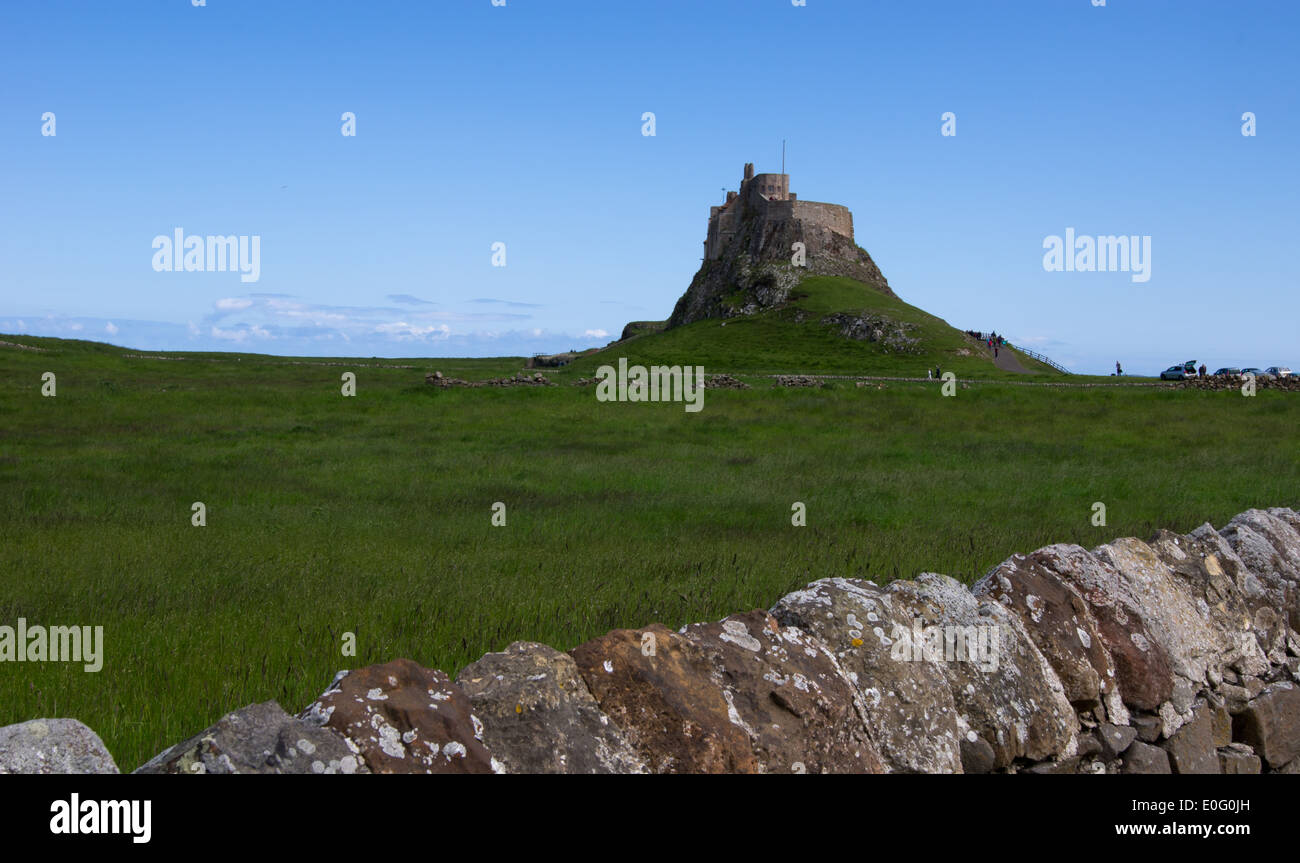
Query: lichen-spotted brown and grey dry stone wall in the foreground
point(1180, 654)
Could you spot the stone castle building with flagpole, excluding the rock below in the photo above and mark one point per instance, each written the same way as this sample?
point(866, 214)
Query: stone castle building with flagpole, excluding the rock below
point(769, 200)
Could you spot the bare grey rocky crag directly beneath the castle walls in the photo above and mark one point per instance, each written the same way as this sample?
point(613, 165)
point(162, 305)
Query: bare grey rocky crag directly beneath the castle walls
point(755, 271)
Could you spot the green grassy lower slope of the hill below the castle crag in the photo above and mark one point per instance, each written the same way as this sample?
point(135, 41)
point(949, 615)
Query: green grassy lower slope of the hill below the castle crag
point(796, 340)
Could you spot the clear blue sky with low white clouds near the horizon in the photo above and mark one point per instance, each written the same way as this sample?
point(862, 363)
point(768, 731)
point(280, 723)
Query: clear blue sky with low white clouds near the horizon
point(522, 124)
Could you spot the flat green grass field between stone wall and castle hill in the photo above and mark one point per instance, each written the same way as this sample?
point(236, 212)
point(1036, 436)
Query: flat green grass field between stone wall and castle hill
point(372, 514)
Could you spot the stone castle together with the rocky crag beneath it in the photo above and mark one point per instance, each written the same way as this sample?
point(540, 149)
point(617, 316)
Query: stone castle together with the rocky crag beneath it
point(752, 258)
